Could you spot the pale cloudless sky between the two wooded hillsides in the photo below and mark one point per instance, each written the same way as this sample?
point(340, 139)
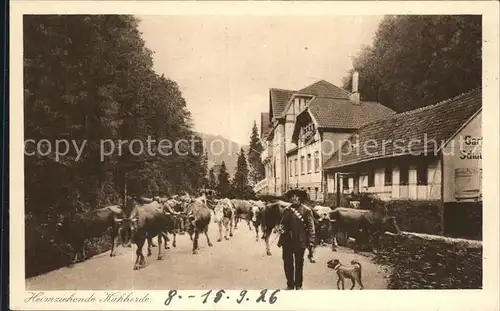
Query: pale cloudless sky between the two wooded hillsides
point(225, 65)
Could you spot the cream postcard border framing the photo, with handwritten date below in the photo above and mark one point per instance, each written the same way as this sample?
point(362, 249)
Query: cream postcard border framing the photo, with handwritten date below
point(485, 299)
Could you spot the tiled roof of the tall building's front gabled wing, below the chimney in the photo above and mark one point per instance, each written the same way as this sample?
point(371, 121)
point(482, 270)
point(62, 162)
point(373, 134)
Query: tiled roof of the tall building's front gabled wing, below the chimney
point(346, 114)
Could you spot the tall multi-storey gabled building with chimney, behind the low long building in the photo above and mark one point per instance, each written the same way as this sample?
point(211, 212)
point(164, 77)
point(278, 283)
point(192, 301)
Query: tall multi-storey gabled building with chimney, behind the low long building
point(304, 128)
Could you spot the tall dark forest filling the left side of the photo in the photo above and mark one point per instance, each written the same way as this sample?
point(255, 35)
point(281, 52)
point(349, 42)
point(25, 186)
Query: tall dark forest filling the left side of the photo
point(91, 78)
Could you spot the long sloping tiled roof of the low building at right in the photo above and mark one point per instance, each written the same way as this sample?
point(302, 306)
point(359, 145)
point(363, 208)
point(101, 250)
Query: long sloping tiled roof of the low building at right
point(423, 126)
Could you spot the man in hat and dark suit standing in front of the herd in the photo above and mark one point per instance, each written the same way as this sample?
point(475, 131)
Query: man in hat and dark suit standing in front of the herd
point(297, 234)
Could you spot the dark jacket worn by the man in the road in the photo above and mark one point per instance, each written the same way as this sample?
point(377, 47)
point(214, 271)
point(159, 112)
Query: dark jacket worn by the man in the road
point(297, 233)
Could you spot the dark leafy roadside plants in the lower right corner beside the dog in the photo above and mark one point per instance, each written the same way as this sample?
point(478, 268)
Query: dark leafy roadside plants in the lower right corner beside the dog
point(431, 262)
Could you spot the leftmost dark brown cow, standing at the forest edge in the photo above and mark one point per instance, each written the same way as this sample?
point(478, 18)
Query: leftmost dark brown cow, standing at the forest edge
point(79, 227)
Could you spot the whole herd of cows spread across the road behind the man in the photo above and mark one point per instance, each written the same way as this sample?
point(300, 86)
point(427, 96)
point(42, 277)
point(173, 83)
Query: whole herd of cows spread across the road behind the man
point(142, 219)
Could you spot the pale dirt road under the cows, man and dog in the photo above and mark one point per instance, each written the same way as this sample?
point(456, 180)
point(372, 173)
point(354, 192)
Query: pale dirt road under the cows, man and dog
point(235, 264)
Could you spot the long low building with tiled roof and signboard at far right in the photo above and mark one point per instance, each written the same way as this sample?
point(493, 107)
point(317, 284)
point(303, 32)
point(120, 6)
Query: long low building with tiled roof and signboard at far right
point(430, 154)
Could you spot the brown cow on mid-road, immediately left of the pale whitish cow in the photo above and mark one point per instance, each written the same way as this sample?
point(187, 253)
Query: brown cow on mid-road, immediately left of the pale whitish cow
point(198, 218)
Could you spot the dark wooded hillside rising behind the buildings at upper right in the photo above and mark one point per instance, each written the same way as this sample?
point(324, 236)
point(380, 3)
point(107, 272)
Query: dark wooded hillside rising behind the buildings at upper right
point(417, 60)
